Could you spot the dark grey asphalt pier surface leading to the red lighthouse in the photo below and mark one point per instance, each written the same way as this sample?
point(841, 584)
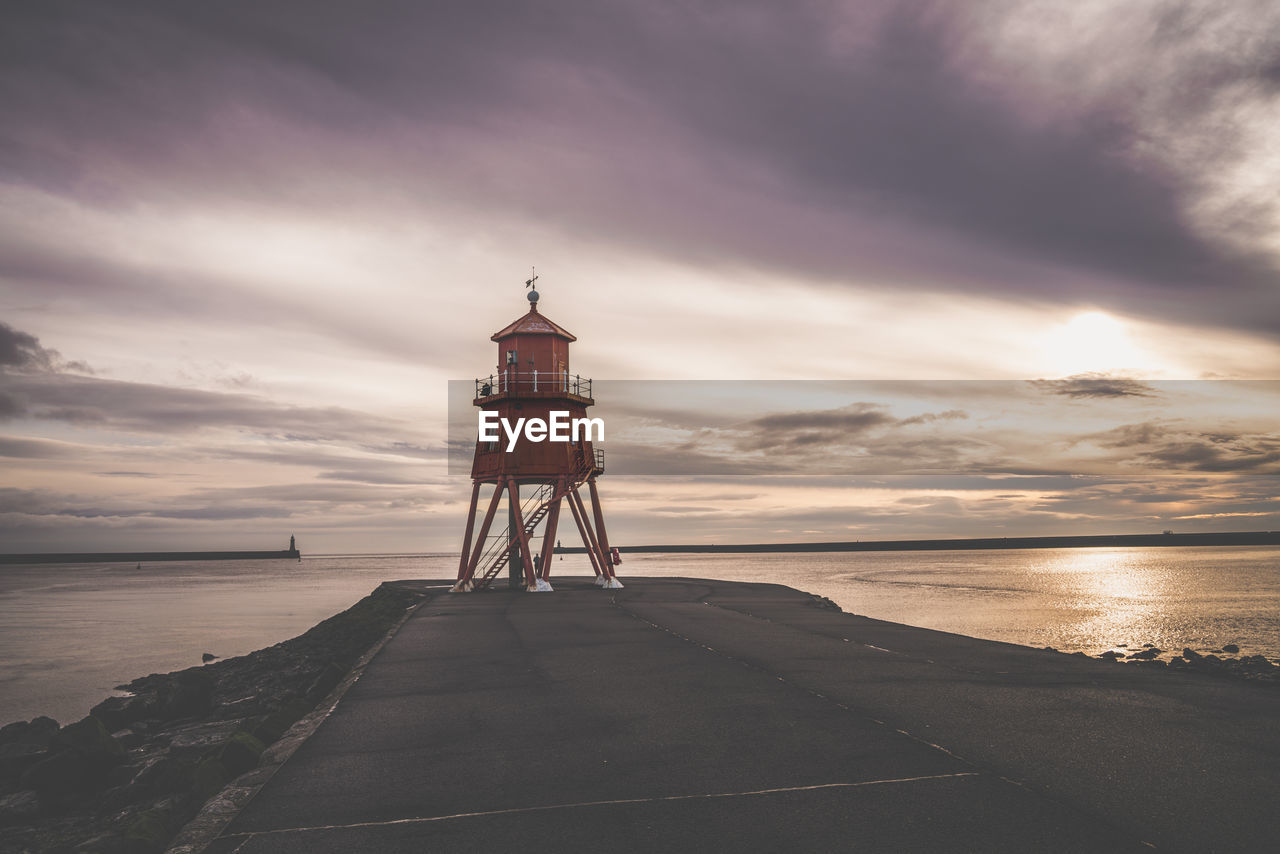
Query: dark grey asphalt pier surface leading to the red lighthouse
point(712, 716)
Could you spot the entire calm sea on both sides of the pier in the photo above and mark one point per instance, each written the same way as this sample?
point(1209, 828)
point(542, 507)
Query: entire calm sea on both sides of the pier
point(72, 633)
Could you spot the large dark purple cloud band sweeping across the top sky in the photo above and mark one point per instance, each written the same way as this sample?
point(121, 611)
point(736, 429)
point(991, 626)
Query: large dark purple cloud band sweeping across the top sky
point(838, 141)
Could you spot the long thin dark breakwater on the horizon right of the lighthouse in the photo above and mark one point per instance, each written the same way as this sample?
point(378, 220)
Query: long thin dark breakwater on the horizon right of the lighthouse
point(1231, 538)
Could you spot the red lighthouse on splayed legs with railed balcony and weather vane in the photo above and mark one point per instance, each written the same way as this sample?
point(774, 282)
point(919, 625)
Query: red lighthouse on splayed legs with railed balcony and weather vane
point(533, 386)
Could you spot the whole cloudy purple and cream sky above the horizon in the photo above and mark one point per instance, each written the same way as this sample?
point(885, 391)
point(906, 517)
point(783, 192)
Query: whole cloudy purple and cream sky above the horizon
point(246, 246)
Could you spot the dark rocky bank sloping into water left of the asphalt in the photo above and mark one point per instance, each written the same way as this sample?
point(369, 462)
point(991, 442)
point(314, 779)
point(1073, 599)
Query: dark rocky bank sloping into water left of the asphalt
point(130, 775)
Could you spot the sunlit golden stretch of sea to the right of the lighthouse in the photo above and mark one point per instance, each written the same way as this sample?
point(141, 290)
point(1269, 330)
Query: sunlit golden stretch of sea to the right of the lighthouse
point(1084, 600)
